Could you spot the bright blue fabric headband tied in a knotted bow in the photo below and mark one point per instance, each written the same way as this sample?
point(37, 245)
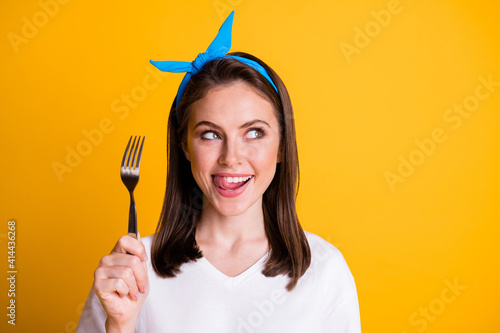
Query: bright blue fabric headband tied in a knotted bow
point(217, 50)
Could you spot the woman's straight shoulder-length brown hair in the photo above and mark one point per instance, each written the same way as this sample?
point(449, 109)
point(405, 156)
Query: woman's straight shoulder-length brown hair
point(174, 241)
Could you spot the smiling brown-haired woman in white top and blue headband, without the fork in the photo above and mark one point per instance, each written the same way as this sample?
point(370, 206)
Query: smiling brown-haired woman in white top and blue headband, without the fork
point(229, 254)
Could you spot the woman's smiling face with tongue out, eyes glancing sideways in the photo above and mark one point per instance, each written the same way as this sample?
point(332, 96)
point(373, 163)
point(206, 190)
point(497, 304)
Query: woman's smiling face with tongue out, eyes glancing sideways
point(233, 143)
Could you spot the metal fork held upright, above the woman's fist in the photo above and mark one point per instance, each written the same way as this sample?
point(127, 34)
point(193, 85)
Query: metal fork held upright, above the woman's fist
point(130, 177)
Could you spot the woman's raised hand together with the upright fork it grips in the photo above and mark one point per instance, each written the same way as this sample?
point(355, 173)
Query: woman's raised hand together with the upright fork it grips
point(122, 294)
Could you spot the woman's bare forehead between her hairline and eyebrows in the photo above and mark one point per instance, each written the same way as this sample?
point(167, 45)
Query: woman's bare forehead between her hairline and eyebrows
point(232, 104)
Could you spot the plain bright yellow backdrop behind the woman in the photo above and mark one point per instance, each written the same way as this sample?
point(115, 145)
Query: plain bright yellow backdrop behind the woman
point(356, 117)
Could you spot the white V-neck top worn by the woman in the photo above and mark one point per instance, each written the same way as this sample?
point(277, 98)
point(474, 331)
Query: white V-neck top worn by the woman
point(202, 299)
